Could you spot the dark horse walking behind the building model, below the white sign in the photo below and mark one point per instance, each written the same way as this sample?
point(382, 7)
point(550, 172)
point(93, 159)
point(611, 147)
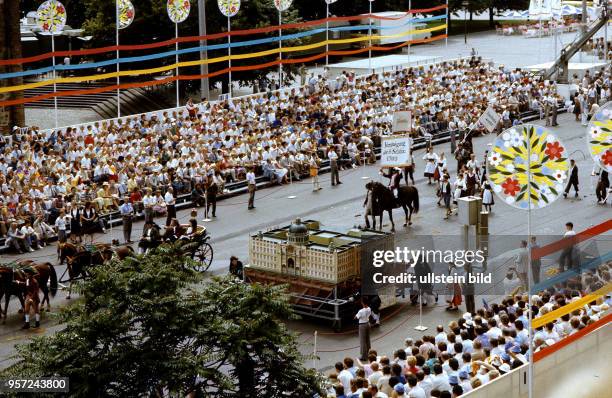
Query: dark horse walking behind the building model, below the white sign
point(408, 199)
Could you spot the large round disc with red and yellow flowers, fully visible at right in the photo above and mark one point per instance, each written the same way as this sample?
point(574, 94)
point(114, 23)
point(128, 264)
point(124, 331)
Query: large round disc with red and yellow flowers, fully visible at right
point(508, 166)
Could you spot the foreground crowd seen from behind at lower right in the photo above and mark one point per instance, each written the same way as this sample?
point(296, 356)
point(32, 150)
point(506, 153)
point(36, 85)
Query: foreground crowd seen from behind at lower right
point(473, 350)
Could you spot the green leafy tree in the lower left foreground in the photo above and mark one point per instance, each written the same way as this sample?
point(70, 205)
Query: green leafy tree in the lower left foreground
point(144, 327)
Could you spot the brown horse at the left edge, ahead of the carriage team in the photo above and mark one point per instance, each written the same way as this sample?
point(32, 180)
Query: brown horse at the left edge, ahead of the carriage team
point(12, 282)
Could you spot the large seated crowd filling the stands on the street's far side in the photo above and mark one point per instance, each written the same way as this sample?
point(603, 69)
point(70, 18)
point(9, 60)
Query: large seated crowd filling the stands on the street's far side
point(277, 135)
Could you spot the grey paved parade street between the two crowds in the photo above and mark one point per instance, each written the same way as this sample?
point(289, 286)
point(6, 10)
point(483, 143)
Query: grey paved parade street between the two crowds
point(340, 208)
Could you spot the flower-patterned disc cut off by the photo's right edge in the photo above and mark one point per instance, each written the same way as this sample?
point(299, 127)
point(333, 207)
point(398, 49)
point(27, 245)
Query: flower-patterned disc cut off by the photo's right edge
point(599, 136)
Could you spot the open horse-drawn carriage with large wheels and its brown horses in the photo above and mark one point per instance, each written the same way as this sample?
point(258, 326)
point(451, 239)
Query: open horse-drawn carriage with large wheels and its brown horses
point(80, 258)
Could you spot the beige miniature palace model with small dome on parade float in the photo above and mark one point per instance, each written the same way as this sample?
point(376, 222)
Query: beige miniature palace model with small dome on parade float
point(303, 250)
